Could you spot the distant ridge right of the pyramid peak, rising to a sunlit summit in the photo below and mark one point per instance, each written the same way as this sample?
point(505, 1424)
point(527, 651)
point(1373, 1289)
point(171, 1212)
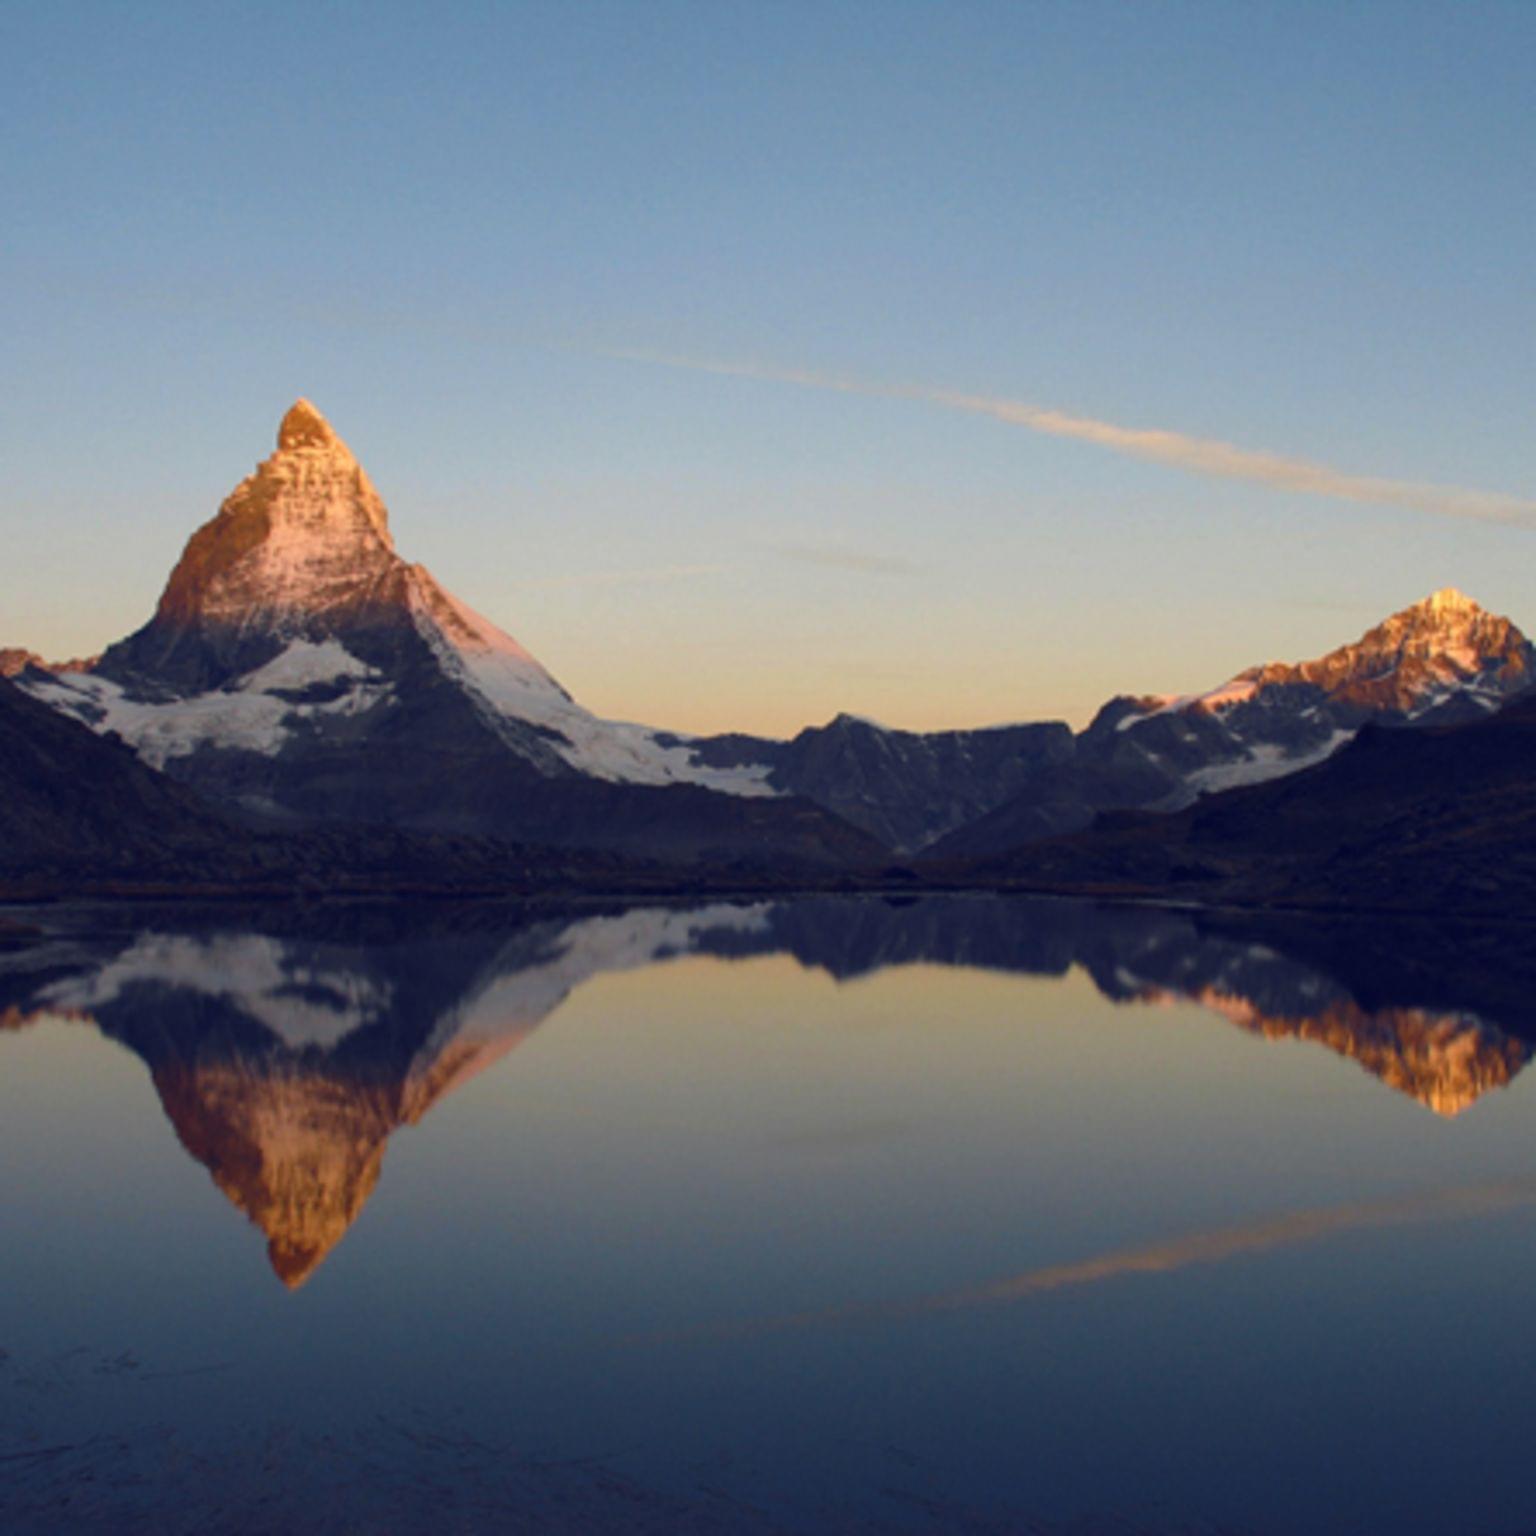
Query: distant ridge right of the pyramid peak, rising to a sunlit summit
point(972, 793)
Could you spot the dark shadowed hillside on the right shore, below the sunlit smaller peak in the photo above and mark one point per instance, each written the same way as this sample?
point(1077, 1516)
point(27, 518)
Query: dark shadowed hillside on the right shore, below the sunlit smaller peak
point(1434, 819)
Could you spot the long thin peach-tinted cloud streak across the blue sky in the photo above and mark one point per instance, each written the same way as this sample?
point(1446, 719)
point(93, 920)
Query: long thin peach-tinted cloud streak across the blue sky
point(1156, 445)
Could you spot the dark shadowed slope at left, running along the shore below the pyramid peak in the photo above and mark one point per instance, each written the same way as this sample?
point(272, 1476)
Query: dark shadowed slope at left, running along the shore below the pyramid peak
point(81, 813)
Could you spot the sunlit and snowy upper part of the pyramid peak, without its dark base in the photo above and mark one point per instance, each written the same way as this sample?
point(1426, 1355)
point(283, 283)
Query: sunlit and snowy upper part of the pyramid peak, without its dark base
point(291, 620)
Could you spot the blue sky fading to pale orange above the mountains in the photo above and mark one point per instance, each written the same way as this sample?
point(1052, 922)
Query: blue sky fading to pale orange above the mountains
point(468, 231)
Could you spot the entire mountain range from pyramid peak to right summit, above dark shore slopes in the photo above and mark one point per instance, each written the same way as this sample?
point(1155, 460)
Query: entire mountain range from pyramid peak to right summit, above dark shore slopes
point(300, 675)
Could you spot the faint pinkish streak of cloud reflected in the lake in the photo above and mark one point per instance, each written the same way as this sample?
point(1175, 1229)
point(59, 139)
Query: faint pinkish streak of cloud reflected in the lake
point(1154, 1259)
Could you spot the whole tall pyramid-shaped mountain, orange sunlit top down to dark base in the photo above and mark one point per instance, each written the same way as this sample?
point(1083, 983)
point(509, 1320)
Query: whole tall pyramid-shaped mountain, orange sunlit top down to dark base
point(300, 670)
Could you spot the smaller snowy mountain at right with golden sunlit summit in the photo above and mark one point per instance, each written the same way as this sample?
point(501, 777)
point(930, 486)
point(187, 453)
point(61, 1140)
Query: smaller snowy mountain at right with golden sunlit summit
point(1438, 663)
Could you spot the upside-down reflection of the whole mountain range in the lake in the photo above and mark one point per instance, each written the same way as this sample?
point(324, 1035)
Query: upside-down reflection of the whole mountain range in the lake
point(288, 1047)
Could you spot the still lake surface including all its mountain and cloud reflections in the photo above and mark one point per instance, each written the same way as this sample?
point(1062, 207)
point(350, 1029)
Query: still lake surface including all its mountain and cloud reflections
point(953, 1214)
